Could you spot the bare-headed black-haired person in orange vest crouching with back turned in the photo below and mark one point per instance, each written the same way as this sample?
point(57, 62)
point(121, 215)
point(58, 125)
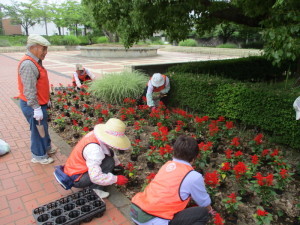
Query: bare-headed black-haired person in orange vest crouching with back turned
point(165, 199)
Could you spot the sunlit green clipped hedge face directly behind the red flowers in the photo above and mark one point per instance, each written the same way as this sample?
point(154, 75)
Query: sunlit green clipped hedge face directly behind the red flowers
point(252, 104)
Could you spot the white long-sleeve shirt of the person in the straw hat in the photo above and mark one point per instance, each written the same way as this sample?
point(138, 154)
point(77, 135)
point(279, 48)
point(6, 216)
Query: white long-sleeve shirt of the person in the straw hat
point(94, 154)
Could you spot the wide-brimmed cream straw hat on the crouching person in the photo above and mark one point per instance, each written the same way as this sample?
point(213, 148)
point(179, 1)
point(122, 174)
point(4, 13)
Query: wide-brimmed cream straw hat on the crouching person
point(112, 133)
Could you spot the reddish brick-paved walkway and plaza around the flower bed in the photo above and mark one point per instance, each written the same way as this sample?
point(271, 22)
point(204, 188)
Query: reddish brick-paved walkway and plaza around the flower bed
point(24, 185)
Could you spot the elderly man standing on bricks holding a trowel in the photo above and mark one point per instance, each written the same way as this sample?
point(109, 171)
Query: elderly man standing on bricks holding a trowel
point(34, 96)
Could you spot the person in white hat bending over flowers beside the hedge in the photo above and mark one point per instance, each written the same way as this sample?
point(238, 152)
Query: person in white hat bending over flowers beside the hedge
point(157, 88)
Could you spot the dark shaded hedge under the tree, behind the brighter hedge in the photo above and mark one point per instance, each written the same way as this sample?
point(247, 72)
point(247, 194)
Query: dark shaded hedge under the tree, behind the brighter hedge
point(253, 69)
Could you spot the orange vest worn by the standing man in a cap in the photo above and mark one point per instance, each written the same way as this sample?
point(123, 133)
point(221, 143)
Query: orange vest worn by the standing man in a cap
point(42, 85)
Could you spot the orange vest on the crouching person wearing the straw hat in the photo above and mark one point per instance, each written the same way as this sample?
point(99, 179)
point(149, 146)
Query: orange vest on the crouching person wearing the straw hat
point(76, 162)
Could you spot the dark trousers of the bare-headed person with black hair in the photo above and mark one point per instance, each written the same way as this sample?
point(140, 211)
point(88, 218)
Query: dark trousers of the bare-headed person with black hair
point(191, 216)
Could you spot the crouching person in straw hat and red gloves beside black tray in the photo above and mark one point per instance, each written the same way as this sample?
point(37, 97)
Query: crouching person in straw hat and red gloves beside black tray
point(92, 161)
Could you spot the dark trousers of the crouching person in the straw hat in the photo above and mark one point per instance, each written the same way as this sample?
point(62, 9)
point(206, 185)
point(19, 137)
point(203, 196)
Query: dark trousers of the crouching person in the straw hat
point(107, 166)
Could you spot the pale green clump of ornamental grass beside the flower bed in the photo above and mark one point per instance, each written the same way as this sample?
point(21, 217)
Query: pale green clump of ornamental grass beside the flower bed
point(114, 87)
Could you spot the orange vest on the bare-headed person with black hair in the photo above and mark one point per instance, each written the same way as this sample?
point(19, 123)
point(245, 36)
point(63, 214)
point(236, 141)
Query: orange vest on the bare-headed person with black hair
point(161, 198)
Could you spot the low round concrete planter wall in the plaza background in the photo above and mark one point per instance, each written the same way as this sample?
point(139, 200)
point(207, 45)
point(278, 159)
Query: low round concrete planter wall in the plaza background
point(118, 52)
